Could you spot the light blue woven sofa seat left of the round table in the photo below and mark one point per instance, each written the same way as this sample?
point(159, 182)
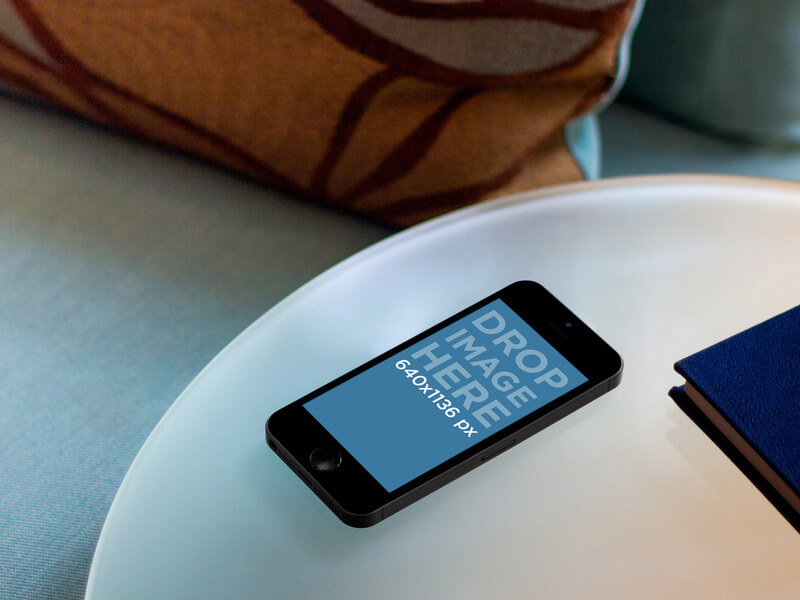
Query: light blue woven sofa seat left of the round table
point(124, 271)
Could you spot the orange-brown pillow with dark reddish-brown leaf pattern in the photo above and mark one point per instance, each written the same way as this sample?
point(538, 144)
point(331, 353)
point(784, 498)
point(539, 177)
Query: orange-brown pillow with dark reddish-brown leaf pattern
point(398, 109)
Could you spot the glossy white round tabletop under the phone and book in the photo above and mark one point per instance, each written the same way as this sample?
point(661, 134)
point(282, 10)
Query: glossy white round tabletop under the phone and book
point(625, 498)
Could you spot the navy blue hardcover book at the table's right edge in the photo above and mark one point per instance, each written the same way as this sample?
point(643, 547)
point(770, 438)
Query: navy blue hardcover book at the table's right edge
point(744, 393)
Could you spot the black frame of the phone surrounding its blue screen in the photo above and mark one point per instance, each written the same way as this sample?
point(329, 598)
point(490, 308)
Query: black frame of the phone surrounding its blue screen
point(357, 498)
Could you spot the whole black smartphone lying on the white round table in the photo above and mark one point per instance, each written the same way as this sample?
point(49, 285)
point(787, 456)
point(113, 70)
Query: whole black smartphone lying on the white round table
point(440, 404)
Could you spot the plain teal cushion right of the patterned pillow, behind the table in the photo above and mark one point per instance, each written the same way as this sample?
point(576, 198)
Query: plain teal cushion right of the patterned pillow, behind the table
point(730, 66)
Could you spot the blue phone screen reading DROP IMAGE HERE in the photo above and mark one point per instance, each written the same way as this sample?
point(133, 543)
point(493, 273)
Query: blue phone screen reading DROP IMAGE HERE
point(425, 404)
